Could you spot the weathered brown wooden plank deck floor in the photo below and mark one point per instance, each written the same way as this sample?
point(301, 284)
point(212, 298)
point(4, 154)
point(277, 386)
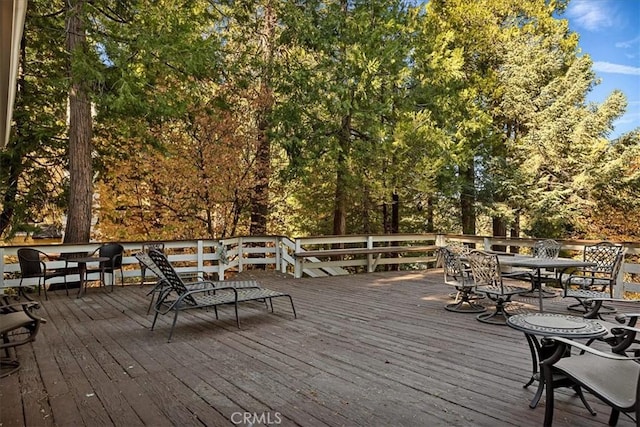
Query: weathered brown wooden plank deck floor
point(366, 350)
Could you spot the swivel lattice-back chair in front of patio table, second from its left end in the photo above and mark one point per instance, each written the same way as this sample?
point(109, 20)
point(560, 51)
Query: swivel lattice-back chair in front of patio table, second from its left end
point(490, 280)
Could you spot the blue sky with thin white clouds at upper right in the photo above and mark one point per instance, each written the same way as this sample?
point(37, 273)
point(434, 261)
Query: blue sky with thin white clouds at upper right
point(610, 34)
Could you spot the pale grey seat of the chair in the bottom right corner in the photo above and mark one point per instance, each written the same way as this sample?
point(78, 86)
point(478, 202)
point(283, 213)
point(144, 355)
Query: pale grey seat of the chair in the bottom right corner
point(613, 380)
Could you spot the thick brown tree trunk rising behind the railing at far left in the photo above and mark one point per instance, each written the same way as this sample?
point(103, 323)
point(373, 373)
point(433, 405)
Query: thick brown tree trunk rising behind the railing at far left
point(78, 227)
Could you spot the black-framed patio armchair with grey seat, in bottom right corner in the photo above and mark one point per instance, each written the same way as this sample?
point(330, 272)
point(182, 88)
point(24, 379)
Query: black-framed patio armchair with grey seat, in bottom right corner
point(612, 378)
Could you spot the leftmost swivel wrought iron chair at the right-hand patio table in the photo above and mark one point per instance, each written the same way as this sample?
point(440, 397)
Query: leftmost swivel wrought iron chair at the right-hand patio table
point(458, 275)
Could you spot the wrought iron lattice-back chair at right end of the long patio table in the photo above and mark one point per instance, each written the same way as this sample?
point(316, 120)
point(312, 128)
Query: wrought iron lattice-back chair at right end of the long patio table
point(597, 281)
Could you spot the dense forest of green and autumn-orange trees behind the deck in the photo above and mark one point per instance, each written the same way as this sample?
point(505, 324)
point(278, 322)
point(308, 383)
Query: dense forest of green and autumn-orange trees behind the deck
point(180, 119)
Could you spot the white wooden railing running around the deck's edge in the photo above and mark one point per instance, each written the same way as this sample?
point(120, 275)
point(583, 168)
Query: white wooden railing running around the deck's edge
point(311, 256)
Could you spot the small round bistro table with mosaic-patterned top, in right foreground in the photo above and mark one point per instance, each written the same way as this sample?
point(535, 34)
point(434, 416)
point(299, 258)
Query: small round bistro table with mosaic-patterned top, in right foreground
point(549, 325)
